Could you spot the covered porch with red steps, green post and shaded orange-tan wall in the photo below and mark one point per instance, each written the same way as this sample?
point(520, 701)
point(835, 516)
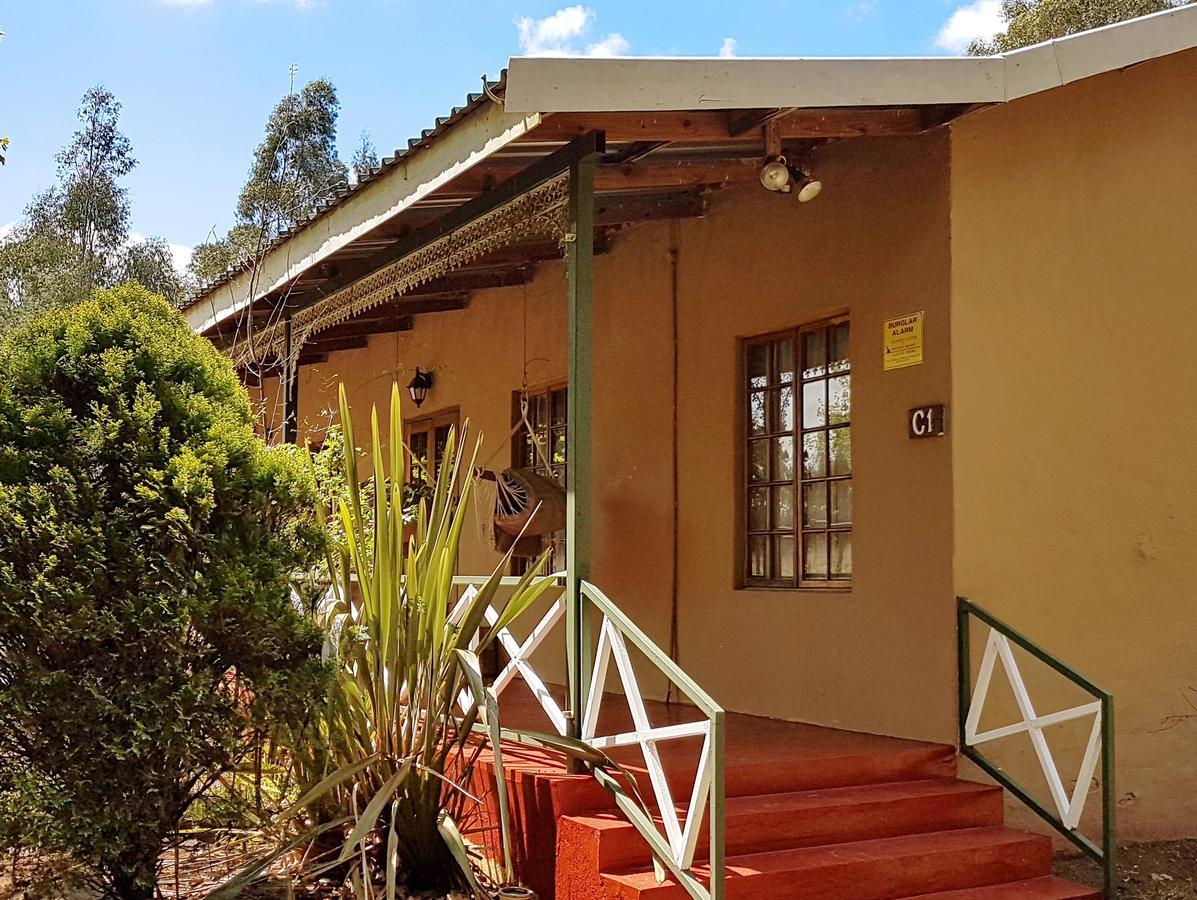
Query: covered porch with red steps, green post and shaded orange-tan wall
point(611, 273)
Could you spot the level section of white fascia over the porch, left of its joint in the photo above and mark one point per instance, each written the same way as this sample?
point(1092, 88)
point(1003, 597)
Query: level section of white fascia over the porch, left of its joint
point(640, 84)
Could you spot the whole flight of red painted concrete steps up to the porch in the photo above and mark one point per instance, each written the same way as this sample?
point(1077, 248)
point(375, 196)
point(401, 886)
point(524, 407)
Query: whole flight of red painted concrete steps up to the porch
point(811, 813)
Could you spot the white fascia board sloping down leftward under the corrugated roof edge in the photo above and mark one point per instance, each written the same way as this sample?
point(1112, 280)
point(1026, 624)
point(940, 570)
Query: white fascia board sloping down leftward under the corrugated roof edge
point(459, 149)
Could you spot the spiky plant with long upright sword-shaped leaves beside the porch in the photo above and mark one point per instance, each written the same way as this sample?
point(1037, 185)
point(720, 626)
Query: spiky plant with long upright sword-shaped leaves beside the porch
point(397, 741)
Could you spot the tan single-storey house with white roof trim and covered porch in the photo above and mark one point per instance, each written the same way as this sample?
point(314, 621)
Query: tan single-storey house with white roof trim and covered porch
point(977, 333)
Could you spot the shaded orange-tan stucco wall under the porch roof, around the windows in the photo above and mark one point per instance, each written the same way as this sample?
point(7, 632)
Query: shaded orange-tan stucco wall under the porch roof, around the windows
point(876, 245)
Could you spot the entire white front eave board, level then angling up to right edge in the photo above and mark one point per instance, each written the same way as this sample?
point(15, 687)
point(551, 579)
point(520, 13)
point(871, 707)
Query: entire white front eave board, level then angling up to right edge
point(641, 84)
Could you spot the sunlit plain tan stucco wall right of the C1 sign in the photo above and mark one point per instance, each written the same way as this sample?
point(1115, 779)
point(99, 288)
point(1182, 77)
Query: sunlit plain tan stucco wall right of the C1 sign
point(1074, 315)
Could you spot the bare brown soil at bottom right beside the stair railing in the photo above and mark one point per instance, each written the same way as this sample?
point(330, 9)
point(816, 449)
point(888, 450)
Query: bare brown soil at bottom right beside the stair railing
point(1164, 871)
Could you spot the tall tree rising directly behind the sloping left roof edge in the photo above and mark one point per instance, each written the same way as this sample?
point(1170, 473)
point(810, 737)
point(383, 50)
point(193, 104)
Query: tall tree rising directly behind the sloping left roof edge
point(295, 171)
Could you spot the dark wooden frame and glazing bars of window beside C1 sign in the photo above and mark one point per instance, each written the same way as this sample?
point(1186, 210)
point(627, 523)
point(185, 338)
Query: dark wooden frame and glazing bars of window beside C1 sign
point(744, 580)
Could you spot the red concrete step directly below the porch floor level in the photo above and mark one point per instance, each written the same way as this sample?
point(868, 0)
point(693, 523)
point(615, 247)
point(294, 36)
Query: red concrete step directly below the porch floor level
point(781, 822)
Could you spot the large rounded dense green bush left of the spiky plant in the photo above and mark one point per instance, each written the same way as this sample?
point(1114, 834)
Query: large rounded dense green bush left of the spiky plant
point(147, 543)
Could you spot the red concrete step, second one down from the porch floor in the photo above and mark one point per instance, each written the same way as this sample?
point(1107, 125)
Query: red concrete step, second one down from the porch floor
point(867, 871)
